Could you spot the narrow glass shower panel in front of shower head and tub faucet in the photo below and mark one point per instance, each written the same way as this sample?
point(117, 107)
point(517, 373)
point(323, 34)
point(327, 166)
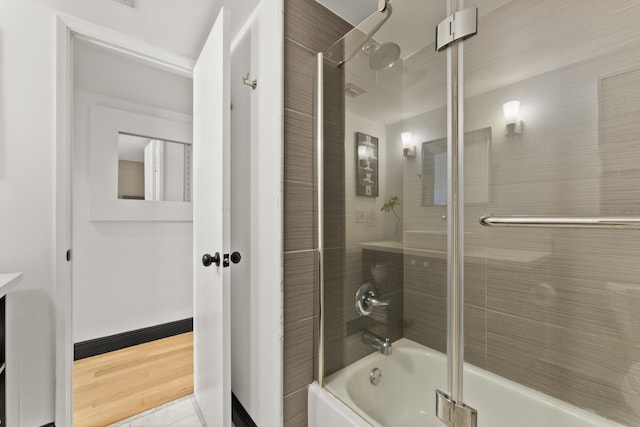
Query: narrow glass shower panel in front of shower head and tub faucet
point(381, 231)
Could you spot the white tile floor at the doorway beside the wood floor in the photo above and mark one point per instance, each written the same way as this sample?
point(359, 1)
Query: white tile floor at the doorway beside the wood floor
point(179, 413)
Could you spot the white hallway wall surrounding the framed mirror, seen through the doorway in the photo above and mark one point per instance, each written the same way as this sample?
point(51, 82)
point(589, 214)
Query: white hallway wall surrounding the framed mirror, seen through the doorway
point(127, 275)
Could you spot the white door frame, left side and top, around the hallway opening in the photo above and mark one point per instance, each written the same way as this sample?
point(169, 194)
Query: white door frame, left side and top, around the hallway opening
point(68, 27)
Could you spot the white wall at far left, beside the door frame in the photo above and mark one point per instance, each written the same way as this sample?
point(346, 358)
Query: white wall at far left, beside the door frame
point(26, 202)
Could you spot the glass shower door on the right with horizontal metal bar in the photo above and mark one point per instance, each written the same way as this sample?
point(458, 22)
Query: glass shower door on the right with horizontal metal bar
point(552, 279)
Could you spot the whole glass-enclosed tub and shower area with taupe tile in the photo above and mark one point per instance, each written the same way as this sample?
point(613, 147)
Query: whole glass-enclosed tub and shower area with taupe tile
point(549, 286)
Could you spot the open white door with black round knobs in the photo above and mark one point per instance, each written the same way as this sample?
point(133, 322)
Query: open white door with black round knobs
point(211, 143)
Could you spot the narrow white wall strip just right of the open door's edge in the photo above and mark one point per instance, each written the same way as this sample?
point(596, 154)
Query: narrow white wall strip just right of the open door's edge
point(243, 303)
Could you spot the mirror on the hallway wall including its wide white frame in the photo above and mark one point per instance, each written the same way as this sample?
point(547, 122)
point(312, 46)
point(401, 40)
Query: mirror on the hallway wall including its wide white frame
point(140, 167)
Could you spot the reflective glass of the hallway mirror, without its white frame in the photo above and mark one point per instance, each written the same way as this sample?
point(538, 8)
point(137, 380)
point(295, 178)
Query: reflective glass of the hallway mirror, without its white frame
point(153, 169)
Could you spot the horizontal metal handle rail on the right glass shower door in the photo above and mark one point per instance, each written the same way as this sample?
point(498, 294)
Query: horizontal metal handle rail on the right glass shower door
point(560, 222)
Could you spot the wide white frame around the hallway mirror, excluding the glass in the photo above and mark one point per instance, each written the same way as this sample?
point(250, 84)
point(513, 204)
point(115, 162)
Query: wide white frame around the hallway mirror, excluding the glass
point(106, 124)
